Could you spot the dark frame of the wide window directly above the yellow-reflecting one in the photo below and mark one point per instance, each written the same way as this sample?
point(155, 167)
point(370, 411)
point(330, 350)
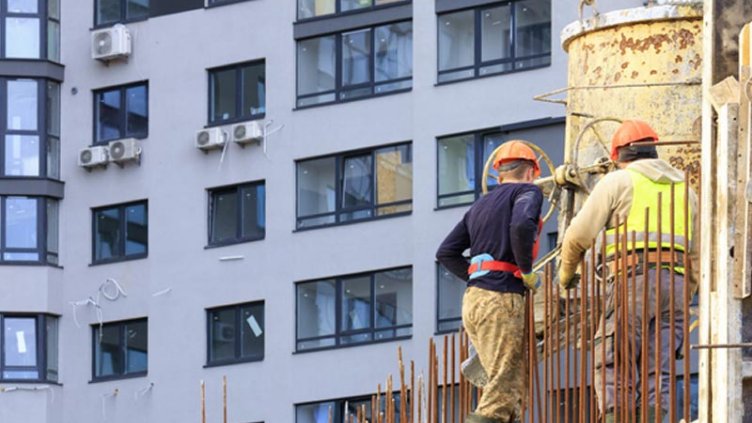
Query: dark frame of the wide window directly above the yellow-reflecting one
point(339, 87)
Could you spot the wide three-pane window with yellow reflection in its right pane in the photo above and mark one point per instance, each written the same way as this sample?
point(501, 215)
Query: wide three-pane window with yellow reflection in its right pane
point(355, 186)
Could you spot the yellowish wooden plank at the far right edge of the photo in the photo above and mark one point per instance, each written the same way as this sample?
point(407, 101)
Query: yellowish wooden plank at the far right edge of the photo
point(743, 238)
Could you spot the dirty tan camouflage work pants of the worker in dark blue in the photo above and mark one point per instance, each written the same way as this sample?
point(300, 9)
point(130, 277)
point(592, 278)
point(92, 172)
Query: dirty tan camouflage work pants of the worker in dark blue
point(495, 323)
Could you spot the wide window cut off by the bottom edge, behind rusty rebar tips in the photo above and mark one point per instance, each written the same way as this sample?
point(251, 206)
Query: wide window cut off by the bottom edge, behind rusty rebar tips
point(343, 410)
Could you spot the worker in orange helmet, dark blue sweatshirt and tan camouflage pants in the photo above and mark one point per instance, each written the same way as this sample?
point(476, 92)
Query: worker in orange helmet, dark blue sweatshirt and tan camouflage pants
point(501, 230)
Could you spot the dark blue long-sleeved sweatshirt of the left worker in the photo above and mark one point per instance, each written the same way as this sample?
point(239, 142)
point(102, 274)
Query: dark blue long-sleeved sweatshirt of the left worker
point(504, 224)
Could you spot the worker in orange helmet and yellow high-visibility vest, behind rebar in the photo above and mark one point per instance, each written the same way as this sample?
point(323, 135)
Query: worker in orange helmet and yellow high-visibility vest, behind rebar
point(625, 194)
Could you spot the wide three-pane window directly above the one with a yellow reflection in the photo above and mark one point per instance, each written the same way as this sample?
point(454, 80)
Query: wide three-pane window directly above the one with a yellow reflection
point(355, 64)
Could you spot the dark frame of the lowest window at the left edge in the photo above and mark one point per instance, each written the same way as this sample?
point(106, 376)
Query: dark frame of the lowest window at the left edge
point(40, 322)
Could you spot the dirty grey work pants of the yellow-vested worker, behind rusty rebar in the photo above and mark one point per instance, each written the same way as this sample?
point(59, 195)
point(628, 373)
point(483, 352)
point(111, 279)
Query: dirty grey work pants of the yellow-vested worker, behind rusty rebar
point(613, 325)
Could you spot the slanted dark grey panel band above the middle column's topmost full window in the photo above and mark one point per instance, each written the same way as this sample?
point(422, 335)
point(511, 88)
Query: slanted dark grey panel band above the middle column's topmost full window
point(334, 24)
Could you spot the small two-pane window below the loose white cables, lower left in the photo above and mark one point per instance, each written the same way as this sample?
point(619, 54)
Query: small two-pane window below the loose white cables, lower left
point(120, 349)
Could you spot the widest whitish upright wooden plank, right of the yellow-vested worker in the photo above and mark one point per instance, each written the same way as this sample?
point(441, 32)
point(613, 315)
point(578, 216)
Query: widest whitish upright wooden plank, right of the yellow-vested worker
point(727, 363)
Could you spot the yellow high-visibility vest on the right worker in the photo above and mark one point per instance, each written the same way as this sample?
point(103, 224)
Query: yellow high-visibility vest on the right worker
point(645, 196)
